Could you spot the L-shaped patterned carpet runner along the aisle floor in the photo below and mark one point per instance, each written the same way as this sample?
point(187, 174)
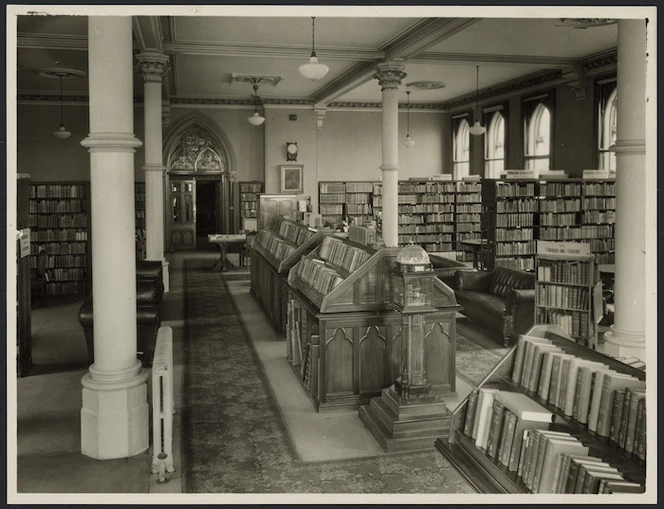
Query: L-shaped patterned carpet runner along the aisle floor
point(233, 438)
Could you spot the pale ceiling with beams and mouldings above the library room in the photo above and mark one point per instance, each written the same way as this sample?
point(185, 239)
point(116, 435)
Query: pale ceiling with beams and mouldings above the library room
point(206, 50)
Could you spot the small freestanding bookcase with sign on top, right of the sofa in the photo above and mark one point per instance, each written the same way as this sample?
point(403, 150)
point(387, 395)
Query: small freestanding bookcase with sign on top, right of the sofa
point(566, 289)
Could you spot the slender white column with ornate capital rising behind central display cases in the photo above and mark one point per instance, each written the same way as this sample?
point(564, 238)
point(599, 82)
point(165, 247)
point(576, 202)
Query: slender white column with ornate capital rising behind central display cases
point(389, 76)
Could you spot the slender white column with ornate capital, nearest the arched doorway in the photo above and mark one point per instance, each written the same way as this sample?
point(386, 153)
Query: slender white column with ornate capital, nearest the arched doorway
point(153, 67)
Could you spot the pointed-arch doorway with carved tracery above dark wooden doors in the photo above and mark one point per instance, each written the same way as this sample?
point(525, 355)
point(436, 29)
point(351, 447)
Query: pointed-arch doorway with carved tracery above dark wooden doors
point(200, 185)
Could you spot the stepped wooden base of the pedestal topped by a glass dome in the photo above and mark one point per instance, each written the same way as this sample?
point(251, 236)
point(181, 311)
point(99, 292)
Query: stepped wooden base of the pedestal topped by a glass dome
point(406, 425)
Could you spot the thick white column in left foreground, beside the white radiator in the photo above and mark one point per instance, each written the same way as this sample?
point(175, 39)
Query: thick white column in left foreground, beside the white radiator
point(114, 416)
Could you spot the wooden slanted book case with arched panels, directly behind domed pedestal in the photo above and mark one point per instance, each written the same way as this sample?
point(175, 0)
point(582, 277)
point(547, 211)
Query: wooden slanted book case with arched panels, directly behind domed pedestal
point(344, 337)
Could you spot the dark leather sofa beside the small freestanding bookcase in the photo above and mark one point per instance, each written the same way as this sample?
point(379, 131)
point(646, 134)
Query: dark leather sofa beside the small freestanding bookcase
point(502, 299)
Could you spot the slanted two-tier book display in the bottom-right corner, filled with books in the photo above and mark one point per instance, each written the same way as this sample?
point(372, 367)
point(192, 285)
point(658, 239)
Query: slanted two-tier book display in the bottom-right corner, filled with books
point(556, 386)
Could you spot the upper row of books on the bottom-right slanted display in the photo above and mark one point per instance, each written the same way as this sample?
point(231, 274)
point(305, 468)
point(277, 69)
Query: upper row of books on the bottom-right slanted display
point(582, 389)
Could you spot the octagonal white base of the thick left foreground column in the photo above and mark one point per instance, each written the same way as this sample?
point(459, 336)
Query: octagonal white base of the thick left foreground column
point(115, 415)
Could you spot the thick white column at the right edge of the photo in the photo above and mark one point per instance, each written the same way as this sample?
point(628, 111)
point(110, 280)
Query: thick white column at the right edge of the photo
point(627, 336)
